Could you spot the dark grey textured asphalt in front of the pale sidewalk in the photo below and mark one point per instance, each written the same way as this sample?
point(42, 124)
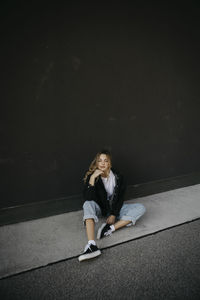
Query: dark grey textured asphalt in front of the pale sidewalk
point(165, 265)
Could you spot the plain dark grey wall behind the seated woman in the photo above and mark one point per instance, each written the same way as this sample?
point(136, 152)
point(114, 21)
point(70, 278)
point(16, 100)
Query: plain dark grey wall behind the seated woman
point(80, 77)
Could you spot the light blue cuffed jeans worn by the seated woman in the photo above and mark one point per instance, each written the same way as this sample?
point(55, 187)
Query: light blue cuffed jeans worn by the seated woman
point(128, 212)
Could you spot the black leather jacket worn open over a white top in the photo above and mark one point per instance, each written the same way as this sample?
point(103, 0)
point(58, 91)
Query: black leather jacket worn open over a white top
point(99, 194)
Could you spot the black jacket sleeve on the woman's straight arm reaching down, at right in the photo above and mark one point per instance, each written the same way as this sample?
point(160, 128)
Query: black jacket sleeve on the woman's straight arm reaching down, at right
point(118, 198)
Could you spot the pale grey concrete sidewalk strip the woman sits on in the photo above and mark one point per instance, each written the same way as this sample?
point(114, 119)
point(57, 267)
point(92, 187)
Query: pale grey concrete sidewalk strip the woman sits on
point(37, 243)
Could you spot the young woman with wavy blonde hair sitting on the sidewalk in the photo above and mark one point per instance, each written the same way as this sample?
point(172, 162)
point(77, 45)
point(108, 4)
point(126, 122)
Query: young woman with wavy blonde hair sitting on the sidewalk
point(104, 190)
